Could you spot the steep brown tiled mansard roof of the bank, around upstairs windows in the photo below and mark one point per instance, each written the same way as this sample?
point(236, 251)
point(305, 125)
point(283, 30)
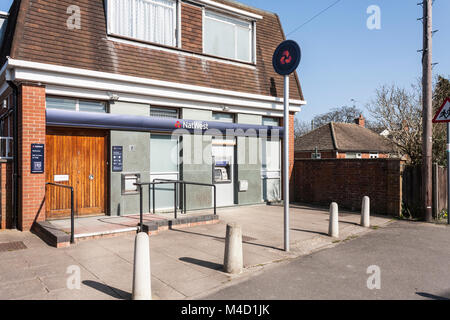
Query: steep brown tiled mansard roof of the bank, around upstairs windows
point(41, 35)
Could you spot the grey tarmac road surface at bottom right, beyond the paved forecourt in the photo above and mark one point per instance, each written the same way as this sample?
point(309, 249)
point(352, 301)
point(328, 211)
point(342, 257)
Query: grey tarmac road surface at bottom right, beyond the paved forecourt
point(412, 258)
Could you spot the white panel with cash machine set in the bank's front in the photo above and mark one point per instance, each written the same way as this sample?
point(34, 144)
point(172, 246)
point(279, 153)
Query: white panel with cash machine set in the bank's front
point(223, 153)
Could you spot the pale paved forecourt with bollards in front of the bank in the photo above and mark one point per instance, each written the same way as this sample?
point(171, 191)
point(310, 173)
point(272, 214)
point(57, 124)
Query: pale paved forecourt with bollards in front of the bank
point(185, 263)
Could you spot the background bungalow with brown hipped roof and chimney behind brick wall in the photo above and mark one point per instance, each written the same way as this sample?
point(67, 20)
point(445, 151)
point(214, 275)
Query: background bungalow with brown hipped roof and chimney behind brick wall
point(343, 141)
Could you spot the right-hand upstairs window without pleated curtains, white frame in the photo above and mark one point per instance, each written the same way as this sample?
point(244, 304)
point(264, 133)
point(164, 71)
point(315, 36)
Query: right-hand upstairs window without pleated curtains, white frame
point(228, 37)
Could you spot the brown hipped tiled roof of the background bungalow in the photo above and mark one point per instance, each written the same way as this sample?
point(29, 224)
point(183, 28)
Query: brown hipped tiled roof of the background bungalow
point(343, 137)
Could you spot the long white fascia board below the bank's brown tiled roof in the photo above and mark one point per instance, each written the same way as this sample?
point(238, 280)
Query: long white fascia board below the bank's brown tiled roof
point(87, 79)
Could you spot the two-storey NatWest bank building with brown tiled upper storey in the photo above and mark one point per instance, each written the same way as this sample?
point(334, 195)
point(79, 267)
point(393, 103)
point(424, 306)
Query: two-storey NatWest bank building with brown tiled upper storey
point(105, 93)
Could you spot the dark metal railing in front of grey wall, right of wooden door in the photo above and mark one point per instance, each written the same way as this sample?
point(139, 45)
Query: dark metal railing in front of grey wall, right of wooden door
point(182, 185)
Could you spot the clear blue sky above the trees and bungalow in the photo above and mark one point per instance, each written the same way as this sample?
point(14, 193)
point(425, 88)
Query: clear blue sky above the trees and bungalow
point(343, 60)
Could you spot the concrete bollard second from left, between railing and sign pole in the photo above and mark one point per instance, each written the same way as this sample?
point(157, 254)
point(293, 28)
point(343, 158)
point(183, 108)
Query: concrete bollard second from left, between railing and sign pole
point(233, 259)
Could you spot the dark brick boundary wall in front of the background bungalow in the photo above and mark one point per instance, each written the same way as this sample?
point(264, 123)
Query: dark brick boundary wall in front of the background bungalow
point(348, 181)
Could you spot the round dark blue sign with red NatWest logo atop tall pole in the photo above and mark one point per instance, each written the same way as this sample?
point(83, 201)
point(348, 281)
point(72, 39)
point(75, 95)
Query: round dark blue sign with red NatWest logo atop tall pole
point(286, 57)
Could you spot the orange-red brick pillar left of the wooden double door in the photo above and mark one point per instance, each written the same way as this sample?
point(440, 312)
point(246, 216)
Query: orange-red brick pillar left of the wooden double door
point(31, 130)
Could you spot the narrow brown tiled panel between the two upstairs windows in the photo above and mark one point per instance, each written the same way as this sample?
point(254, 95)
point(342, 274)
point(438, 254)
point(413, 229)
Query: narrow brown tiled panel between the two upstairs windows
point(191, 27)
